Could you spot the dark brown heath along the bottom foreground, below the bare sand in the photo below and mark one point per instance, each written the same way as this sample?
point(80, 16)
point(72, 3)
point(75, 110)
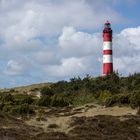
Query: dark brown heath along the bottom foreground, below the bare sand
point(81, 128)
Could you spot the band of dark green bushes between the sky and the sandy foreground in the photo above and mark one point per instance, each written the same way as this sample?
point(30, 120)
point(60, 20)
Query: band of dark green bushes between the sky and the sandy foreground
point(109, 91)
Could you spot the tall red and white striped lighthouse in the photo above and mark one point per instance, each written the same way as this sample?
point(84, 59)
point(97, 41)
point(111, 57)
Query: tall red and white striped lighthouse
point(107, 49)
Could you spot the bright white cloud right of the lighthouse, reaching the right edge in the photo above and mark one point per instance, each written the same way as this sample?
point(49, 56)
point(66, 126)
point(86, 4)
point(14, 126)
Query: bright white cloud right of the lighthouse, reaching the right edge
point(127, 51)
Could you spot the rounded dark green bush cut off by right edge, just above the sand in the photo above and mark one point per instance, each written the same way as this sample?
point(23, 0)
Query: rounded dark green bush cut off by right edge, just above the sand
point(135, 99)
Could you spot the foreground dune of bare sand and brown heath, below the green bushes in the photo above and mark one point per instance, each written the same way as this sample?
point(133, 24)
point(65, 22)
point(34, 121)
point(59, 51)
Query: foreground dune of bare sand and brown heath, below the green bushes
point(87, 122)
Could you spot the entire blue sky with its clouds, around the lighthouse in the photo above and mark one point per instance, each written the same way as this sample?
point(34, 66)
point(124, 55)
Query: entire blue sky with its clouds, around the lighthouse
point(51, 40)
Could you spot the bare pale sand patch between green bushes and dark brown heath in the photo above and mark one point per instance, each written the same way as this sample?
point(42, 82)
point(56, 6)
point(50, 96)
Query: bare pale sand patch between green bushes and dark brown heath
point(63, 118)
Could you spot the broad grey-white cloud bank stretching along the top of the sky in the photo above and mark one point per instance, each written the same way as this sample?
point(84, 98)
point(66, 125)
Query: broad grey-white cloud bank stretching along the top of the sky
point(29, 18)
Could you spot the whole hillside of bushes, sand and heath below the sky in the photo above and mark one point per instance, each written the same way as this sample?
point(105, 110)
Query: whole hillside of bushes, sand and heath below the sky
point(88, 108)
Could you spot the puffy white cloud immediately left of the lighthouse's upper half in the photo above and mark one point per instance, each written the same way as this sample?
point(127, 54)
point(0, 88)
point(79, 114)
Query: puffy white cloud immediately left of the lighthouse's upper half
point(78, 44)
